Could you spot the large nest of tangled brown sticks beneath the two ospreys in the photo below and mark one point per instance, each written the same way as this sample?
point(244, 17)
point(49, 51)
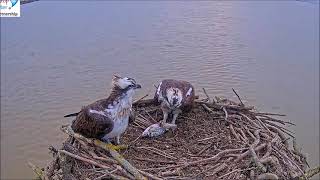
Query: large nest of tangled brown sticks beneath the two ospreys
point(218, 139)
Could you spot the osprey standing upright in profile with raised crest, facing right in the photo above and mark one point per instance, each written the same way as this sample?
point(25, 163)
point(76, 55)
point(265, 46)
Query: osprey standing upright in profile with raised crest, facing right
point(107, 118)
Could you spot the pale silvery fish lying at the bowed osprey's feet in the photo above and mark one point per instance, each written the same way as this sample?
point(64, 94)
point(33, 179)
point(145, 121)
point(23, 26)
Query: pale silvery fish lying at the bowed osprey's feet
point(158, 129)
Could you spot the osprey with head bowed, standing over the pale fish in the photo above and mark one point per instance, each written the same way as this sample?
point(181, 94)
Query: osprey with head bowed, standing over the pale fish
point(174, 96)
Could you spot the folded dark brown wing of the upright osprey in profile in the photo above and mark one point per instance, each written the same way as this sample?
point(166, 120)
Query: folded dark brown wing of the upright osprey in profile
point(92, 125)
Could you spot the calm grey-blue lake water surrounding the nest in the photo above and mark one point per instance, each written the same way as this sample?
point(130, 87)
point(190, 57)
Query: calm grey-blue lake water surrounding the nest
point(61, 55)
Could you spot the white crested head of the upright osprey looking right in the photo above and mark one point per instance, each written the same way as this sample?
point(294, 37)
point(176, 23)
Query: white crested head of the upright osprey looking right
point(124, 83)
